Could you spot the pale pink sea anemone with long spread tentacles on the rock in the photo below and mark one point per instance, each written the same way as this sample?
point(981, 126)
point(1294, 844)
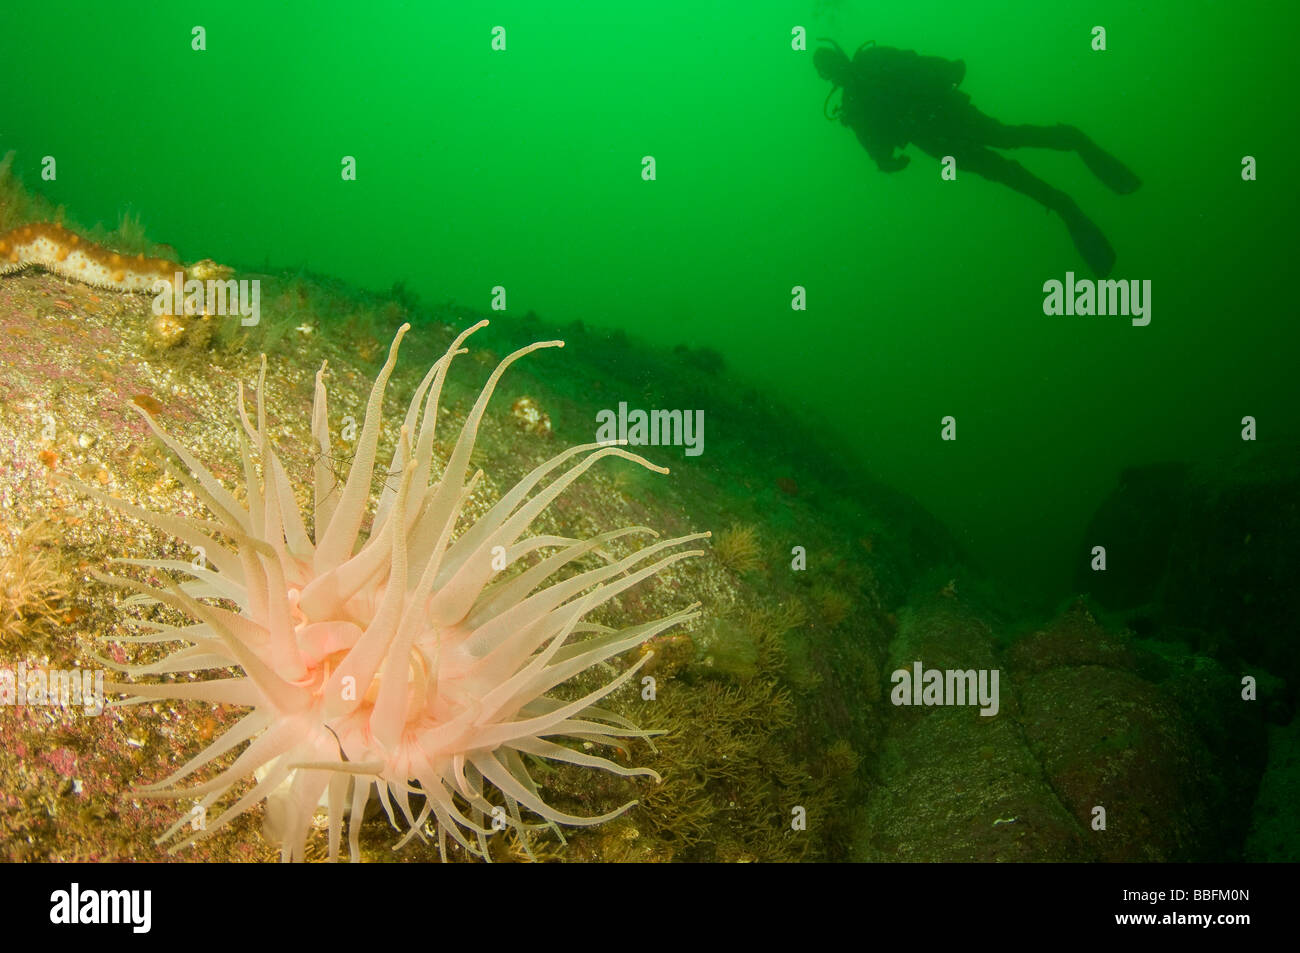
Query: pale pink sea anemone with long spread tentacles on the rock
point(401, 660)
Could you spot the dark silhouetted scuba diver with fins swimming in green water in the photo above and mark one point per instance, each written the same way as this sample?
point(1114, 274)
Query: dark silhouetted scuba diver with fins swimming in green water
point(898, 97)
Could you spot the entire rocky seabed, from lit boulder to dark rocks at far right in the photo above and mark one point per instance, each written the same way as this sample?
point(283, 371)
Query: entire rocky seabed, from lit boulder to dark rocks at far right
point(779, 740)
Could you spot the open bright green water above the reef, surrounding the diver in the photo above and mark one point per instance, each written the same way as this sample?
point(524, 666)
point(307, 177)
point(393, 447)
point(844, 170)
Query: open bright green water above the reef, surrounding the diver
point(523, 168)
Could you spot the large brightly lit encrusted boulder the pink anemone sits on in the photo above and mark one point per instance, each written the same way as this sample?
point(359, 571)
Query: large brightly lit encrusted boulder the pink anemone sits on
point(766, 722)
